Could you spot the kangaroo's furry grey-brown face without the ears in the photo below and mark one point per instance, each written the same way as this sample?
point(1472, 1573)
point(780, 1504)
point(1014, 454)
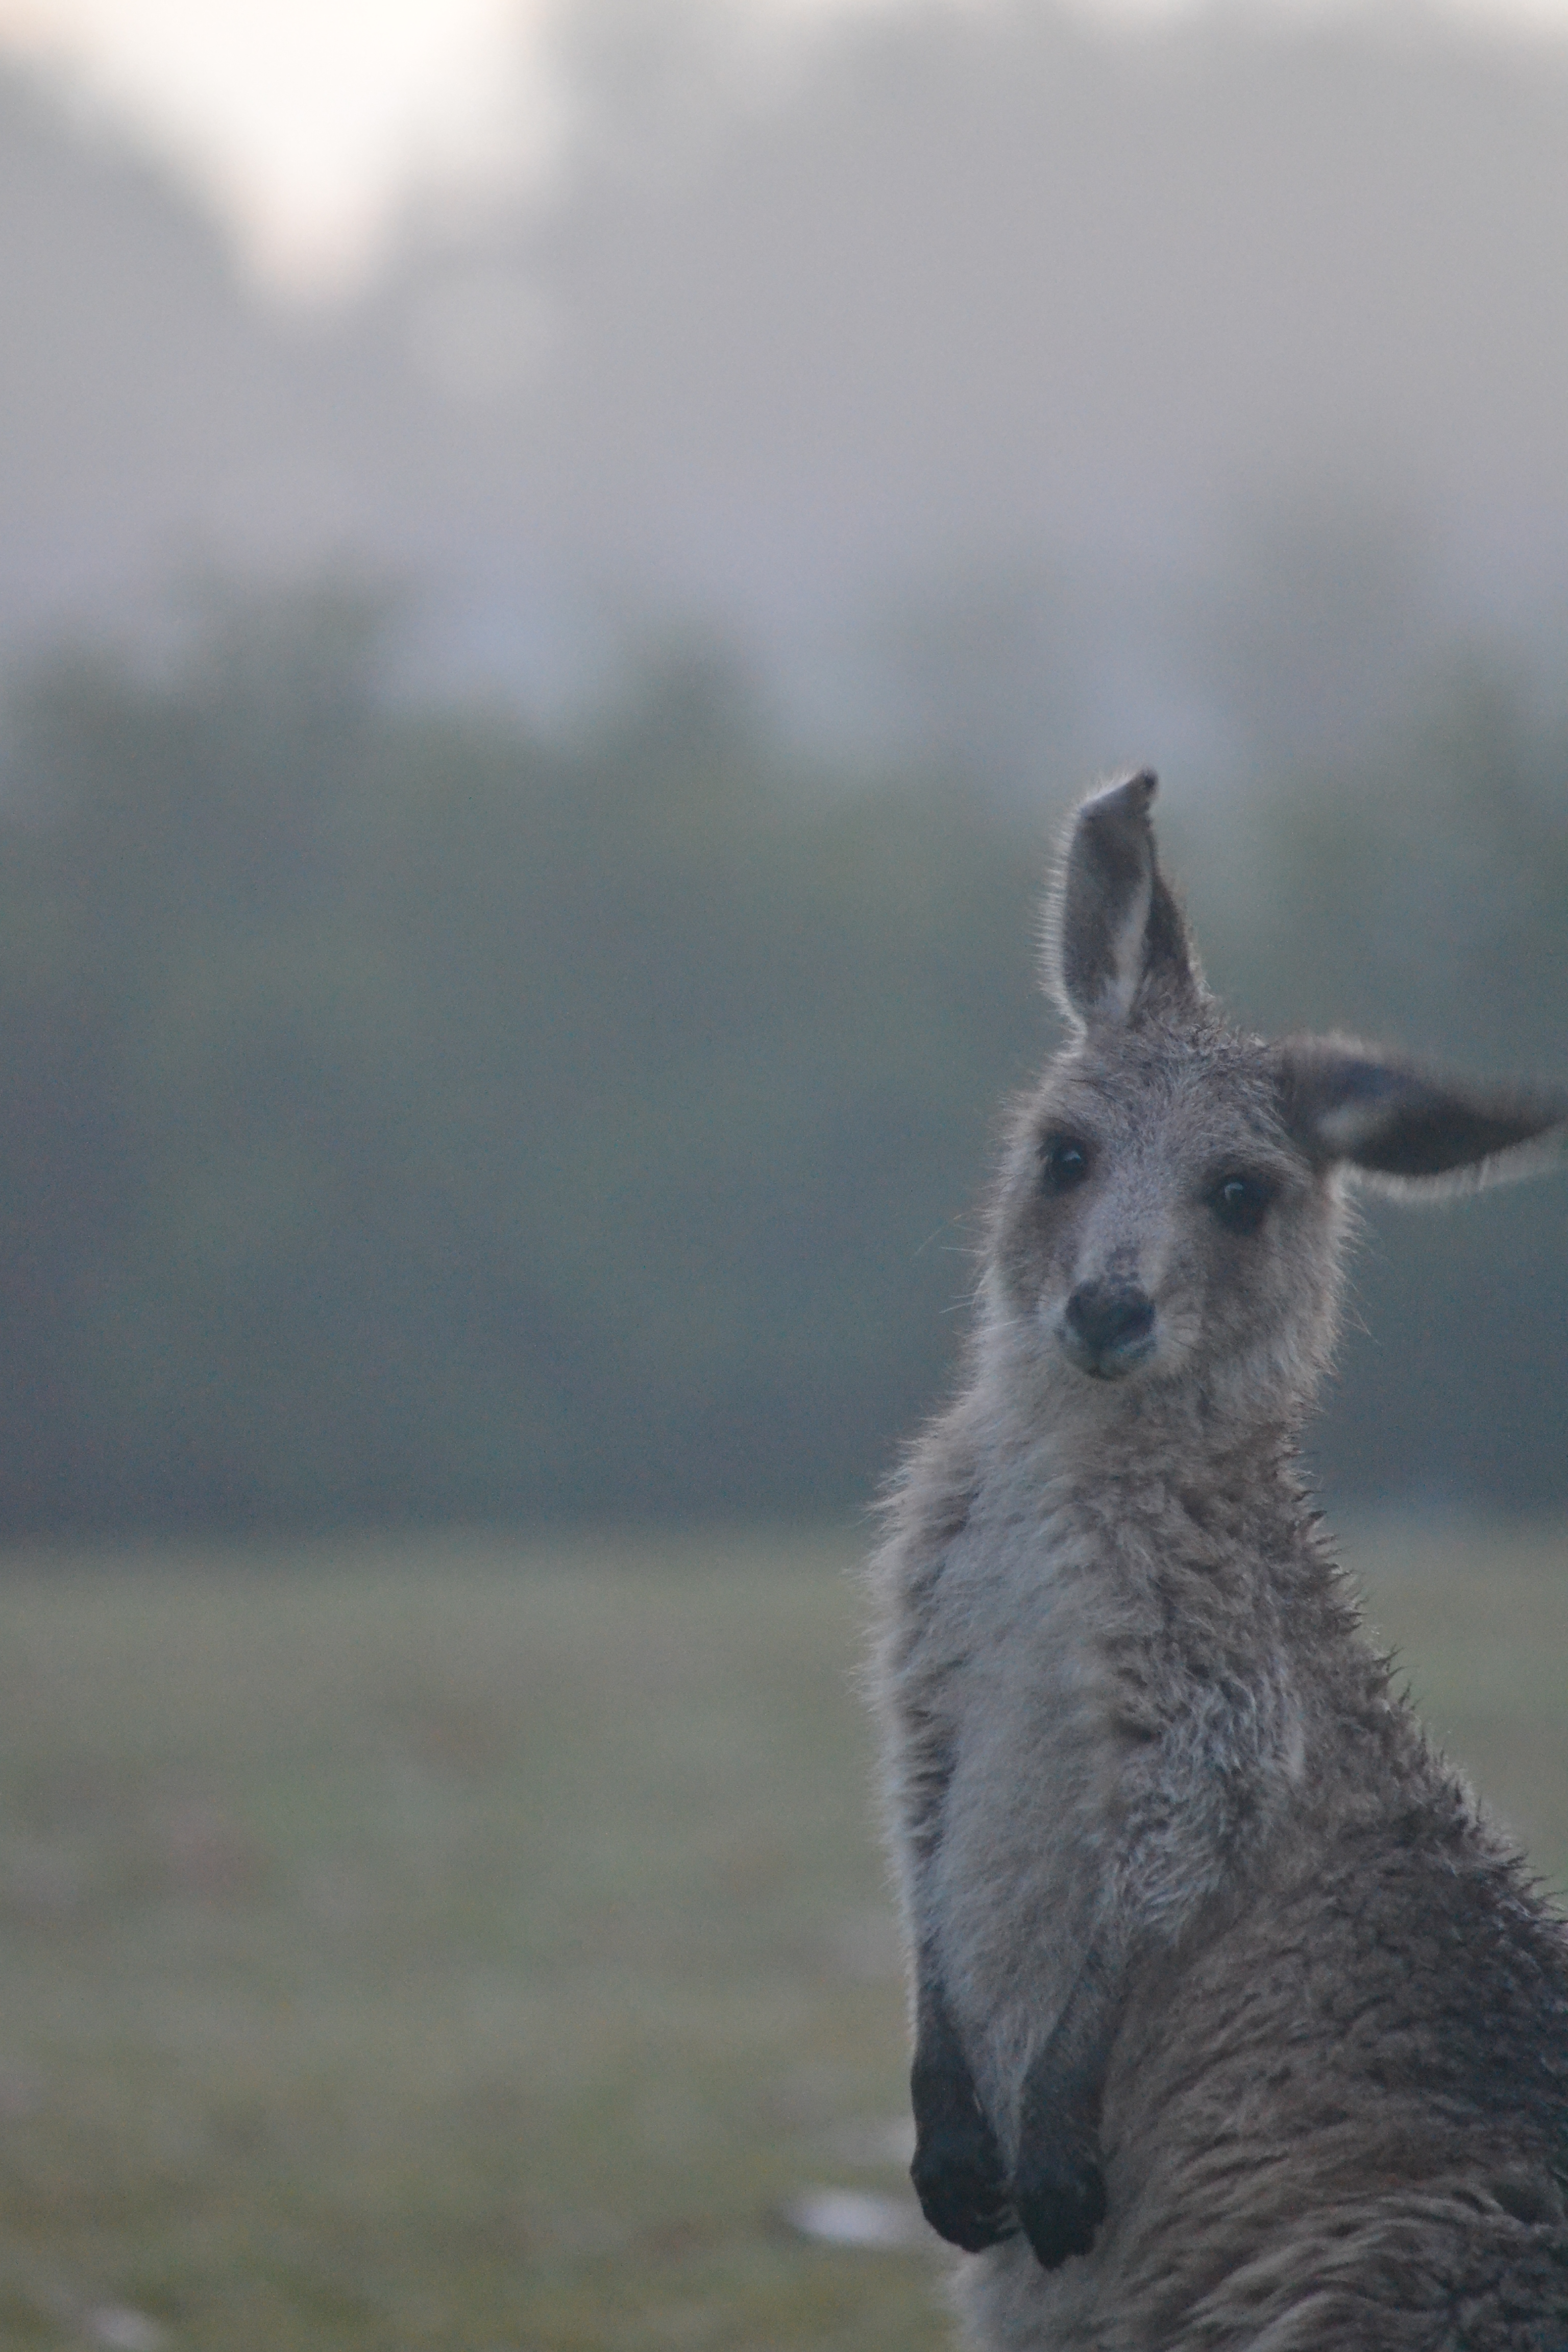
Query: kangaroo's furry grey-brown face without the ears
point(1158, 1222)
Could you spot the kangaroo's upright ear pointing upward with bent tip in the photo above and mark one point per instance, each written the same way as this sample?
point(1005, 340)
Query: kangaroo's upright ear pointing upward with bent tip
point(1115, 937)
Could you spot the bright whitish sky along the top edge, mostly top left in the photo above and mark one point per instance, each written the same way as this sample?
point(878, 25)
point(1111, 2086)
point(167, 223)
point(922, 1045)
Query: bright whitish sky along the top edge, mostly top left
point(307, 121)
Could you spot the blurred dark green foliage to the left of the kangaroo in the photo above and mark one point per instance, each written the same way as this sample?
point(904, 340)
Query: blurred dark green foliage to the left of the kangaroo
point(406, 1116)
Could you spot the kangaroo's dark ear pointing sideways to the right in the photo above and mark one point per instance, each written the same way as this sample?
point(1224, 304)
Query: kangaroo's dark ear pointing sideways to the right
point(1409, 1130)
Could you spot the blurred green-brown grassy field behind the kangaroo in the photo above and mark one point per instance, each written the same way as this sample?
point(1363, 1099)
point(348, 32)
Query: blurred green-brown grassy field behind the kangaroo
point(462, 1946)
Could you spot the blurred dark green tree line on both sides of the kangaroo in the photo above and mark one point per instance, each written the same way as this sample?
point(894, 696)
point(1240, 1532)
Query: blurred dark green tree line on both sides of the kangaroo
point(410, 1114)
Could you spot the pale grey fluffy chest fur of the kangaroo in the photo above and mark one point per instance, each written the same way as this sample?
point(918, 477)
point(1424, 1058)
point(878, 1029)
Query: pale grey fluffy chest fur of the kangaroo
point(1101, 1751)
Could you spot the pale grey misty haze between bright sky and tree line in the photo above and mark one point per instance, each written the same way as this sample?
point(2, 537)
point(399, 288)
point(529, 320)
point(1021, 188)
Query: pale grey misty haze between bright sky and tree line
point(981, 328)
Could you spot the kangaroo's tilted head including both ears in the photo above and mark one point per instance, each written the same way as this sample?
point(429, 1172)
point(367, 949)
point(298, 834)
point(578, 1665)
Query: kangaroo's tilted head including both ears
point(1174, 1205)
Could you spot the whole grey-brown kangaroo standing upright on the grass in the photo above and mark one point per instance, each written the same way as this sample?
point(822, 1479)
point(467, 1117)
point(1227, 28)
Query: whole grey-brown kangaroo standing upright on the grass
point(1235, 2022)
